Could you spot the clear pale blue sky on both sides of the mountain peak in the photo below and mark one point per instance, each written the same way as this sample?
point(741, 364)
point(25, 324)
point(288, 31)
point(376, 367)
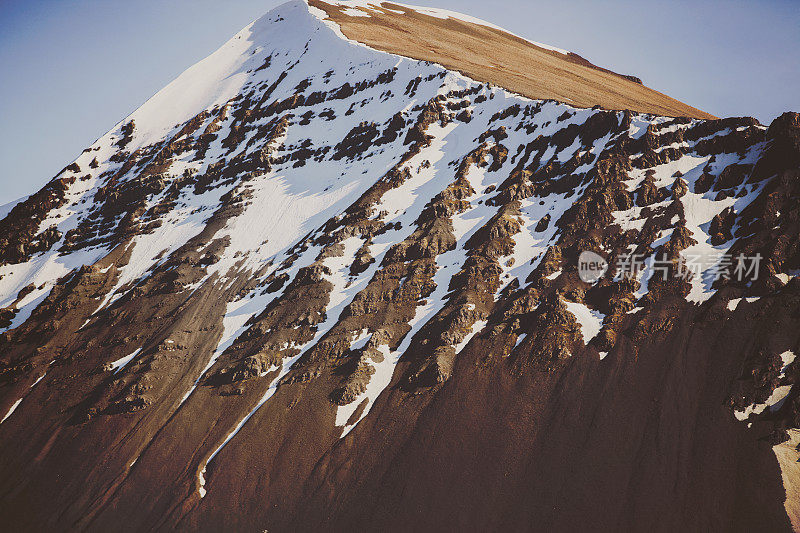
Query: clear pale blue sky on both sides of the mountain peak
point(70, 70)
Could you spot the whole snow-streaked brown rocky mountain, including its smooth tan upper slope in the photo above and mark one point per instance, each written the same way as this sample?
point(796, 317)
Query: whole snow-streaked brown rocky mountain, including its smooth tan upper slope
point(313, 284)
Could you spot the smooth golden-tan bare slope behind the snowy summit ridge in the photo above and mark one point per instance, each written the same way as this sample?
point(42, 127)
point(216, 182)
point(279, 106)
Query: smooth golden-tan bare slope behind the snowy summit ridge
point(491, 55)
